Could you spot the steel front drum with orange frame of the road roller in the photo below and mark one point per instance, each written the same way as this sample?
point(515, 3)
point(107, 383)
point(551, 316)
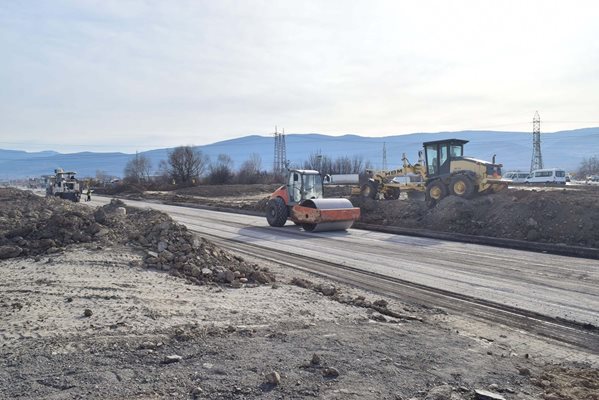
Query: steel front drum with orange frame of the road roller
point(318, 215)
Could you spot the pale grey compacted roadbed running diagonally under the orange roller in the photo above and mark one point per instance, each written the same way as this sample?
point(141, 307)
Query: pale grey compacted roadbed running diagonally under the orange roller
point(557, 286)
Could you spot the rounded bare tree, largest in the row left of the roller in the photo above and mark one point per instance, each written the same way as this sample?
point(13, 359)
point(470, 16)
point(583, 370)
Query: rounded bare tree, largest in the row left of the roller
point(186, 165)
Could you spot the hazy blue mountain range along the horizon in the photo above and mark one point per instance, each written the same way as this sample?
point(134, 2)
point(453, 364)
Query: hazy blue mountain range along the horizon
point(564, 149)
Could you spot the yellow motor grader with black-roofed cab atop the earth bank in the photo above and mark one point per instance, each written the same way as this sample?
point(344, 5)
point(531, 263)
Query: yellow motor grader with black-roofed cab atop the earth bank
point(442, 170)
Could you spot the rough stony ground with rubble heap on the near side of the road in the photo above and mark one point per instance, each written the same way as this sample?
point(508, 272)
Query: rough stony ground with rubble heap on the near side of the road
point(92, 306)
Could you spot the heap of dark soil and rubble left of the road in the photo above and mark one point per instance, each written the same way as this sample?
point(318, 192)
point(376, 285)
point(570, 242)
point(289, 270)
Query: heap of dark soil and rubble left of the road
point(33, 226)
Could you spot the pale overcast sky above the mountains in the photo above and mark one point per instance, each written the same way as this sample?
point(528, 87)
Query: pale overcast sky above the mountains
point(135, 75)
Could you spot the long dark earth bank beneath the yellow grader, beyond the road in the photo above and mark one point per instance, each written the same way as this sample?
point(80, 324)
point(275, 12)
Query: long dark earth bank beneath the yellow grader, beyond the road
point(552, 216)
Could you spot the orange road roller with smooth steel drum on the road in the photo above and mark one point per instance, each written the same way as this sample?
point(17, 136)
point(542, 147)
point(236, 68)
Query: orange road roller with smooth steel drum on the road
point(301, 201)
